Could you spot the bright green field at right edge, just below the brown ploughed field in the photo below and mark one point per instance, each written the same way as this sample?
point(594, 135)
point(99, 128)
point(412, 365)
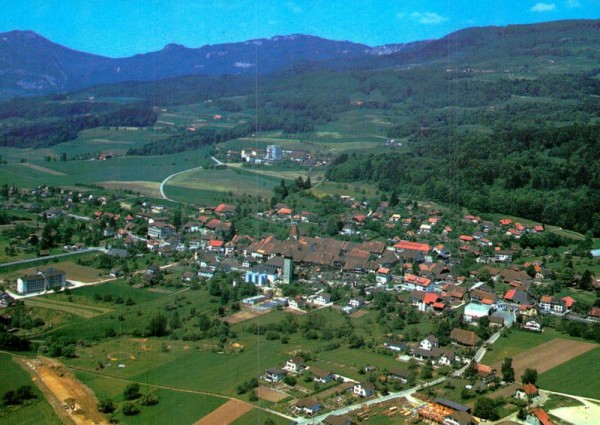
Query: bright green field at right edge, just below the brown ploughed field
point(579, 376)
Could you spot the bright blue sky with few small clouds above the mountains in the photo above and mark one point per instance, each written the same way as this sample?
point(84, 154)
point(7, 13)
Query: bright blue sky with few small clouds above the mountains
point(120, 28)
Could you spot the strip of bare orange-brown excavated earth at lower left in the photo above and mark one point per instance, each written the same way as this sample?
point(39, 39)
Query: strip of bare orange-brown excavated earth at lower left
point(72, 401)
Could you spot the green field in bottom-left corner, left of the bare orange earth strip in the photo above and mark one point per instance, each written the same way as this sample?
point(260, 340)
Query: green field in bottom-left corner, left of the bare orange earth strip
point(35, 412)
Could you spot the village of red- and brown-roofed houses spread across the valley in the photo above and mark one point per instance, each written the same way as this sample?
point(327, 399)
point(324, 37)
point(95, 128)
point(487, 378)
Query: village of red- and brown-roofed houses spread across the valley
point(474, 277)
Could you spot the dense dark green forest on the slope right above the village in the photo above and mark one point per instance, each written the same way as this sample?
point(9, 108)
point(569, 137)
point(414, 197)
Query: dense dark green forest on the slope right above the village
point(548, 174)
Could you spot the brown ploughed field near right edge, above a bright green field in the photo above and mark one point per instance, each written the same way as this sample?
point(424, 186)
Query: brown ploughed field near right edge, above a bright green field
point(548, 355)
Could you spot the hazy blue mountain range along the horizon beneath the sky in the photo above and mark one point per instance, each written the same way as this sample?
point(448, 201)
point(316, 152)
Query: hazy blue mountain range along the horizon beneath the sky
point(31, 64)
